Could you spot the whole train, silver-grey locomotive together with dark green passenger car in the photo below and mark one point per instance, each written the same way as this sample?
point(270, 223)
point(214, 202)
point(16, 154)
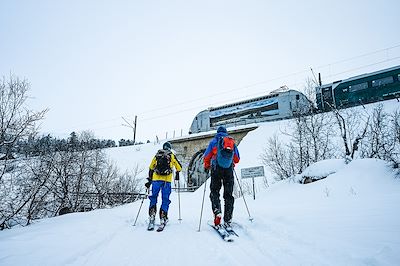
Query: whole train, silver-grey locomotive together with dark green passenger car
point(284, 102)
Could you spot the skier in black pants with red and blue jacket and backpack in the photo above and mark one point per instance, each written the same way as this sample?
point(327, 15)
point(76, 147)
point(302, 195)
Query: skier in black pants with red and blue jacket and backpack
point(220, 157)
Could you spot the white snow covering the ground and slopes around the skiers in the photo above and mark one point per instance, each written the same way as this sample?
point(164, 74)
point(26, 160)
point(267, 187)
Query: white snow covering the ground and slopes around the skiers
point(349, 218)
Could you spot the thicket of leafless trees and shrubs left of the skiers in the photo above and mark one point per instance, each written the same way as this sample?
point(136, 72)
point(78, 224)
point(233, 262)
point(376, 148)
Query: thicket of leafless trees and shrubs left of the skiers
point(41, 185)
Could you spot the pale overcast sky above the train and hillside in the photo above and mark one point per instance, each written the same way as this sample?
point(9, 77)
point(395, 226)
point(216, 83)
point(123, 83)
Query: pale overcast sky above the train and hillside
point(93, 62)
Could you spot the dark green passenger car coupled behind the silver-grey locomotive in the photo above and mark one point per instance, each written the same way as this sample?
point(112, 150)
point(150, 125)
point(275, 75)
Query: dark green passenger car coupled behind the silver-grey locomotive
point(367, 88)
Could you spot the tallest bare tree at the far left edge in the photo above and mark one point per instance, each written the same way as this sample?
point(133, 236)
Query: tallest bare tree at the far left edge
point(17, 121)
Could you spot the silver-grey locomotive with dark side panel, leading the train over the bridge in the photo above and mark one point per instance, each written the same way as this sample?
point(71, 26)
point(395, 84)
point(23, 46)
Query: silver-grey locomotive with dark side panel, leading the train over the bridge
point(279, 104)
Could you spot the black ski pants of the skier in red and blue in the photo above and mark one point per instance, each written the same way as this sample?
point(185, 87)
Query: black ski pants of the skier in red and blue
point(222, 176)
